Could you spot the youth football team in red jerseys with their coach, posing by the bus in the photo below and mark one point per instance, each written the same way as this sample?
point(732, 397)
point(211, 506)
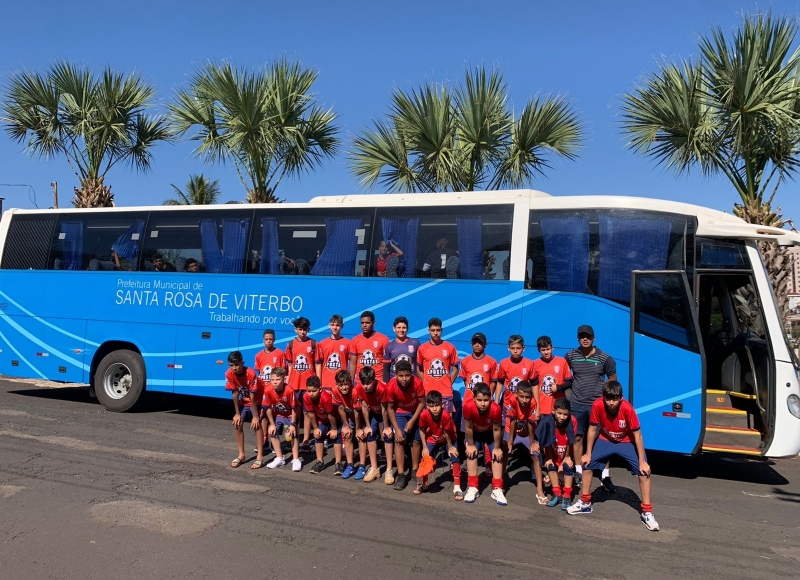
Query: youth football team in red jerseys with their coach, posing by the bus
point(355, 392)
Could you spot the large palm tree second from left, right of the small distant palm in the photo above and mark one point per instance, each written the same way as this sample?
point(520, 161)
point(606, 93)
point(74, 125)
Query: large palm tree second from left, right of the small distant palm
point(266, 122)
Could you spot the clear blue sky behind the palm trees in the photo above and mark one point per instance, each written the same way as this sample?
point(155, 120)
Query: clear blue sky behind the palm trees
point(593, 52)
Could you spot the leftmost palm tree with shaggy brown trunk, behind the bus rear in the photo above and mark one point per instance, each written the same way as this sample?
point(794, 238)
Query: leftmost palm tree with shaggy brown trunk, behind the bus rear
point(95, 121)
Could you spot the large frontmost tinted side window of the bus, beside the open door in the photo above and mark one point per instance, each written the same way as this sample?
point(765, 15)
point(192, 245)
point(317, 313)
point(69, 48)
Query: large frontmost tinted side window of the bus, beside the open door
point(594, 251)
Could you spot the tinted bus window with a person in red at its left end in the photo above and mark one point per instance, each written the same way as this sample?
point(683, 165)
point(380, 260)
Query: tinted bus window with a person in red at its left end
point(467, 242)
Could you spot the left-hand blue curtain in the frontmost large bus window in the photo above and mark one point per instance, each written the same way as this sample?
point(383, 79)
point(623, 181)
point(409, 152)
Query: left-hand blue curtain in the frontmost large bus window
point(566, 252)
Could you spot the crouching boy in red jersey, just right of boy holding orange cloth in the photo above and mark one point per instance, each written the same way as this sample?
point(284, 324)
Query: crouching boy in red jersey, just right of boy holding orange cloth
point(484, 426)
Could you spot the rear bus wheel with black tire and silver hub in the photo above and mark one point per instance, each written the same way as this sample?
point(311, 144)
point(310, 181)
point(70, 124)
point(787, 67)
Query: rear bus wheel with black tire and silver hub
point(119, 380)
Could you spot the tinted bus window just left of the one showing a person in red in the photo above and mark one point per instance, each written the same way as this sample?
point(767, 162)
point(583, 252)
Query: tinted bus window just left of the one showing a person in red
point(311, 241)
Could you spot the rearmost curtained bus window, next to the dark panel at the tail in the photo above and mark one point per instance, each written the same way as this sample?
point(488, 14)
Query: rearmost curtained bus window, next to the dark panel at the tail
point(98, 241)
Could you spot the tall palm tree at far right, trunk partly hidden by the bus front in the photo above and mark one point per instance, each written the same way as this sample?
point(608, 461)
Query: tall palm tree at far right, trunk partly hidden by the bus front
point(734, 111)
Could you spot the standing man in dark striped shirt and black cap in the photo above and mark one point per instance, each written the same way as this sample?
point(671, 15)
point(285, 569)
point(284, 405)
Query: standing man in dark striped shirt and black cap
point(590, 368)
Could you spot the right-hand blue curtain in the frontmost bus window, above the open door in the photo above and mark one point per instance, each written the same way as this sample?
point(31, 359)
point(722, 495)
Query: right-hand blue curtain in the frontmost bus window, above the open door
point(629, 244)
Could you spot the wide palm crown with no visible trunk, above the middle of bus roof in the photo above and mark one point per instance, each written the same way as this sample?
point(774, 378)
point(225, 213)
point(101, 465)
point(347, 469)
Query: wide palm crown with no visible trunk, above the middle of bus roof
point(440, 139)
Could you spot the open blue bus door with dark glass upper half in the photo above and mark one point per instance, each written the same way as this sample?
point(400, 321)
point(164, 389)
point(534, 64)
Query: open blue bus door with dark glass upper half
point(666, 361)
